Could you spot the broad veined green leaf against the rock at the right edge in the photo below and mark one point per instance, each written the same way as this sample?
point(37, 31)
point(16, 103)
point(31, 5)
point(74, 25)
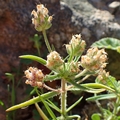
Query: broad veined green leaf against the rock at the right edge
point(108, 43)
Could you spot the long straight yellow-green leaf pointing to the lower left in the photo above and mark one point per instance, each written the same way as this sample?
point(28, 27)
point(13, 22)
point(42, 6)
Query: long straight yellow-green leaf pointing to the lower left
point(32, 101)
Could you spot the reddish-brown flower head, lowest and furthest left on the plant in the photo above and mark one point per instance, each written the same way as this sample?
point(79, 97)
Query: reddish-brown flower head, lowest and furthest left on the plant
point(34, 77)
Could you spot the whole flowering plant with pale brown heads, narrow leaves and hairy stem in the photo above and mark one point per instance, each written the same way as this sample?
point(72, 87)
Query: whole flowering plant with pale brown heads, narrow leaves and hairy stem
point(72, 71)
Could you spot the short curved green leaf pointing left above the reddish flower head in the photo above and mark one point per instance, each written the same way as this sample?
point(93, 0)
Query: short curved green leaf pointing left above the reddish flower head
point(35, 58)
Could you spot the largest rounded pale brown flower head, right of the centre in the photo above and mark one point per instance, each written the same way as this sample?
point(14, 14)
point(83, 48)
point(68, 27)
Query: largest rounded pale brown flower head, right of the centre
point(94, 59)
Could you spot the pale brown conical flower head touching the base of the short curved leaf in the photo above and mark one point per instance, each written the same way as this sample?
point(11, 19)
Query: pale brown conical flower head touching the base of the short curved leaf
point(54, 61)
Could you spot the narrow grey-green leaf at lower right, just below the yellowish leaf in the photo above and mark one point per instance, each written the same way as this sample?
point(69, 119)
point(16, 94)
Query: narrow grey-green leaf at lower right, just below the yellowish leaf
point(101, 97)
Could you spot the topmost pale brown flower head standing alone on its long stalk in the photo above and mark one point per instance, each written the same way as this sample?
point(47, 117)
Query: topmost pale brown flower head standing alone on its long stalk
point(41, 19)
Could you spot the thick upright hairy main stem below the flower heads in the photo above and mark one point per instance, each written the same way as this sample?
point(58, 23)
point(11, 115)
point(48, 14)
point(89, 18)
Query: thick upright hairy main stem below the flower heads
point(63, 98)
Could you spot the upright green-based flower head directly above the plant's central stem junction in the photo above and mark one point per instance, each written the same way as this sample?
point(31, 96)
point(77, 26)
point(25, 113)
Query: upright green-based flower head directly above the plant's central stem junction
point(76, 46)
